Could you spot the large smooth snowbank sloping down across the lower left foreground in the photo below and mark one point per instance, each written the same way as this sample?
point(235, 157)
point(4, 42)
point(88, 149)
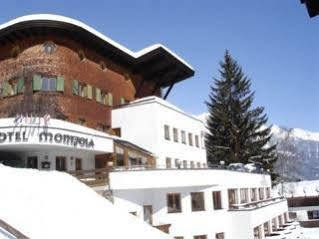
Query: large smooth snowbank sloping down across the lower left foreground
point(55, 205)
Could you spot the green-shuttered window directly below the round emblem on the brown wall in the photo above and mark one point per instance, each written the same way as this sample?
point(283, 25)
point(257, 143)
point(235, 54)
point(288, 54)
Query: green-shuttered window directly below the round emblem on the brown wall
point(48, 83)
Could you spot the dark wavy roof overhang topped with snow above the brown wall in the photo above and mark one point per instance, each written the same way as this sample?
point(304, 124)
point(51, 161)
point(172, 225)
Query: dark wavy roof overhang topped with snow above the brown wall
point(154, 63)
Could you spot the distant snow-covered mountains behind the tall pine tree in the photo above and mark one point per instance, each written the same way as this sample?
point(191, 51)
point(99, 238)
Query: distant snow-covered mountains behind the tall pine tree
point(305, 142)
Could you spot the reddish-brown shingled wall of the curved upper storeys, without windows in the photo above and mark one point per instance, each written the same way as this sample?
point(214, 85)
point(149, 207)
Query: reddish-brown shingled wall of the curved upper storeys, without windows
point(64, 61)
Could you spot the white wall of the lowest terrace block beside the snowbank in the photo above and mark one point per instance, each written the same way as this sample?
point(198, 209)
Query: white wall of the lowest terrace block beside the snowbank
point(152, 186)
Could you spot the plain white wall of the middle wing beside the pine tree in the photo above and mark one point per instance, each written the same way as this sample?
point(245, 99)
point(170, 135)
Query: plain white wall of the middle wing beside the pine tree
point(145, 127)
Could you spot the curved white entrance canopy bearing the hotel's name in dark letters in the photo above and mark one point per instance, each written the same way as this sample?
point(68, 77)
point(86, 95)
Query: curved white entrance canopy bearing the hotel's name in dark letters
point(38, 133)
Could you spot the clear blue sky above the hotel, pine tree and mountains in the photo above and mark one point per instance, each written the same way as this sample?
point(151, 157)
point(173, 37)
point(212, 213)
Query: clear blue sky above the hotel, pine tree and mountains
point(275, 42)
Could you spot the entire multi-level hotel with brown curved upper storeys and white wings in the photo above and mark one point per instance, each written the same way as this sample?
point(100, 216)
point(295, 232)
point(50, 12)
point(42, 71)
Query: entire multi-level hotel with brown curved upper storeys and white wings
point(74, 100)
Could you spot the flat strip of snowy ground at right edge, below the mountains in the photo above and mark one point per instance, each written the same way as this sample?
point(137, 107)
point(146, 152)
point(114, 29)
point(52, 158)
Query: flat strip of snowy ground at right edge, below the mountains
point(297, 189)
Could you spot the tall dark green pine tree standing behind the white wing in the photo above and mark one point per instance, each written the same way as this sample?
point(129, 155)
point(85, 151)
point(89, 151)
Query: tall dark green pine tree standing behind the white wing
point(237, 132)
